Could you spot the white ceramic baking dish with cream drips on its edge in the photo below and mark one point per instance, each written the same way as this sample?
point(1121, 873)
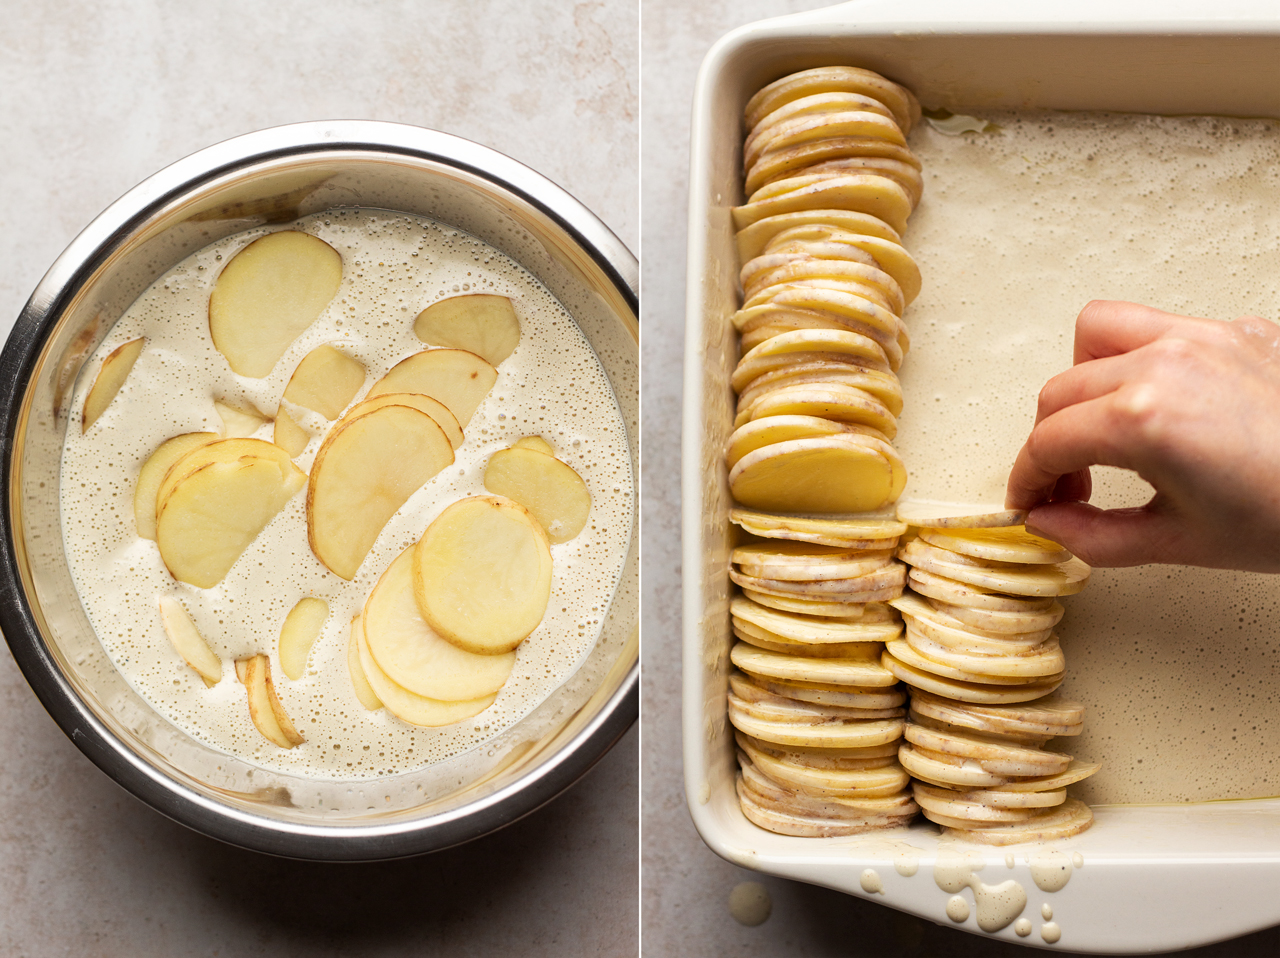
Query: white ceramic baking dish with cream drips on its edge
point(1145, 878)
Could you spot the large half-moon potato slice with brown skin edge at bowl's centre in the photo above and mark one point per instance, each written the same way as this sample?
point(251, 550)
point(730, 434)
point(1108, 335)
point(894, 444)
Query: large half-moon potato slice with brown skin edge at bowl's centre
point(363, 475)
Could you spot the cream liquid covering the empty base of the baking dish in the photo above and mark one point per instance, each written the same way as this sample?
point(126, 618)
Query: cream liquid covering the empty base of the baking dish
point(1021, 227)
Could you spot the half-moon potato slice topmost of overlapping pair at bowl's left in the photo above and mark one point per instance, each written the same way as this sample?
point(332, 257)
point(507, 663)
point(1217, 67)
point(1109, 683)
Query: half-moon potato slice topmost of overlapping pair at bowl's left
point(212, 516)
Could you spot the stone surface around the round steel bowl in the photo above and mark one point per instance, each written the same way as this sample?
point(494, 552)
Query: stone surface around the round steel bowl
point(99, 97)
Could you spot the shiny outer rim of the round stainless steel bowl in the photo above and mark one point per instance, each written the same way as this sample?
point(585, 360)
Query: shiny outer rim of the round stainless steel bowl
point(148, 783)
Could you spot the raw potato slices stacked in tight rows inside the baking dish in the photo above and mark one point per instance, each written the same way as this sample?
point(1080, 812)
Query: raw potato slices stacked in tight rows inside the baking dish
point(842, 600)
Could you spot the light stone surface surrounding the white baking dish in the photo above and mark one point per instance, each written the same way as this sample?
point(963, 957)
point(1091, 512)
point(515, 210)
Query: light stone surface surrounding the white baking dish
point(685, 887)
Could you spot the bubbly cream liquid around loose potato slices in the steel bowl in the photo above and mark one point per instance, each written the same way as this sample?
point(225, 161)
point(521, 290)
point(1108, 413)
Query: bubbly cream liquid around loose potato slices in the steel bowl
point(394, 267)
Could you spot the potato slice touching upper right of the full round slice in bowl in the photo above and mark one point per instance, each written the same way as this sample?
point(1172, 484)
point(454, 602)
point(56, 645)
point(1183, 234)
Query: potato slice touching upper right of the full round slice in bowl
point(548, 489)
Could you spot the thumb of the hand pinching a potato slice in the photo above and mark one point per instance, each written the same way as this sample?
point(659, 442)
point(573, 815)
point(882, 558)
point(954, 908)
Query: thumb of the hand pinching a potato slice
point(1118, 537)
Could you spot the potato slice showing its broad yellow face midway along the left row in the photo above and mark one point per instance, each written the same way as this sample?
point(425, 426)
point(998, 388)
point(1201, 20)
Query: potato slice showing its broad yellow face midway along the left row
point(815, 476)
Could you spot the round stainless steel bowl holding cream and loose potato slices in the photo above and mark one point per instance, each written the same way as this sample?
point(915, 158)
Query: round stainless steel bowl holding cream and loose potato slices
point(277, 176)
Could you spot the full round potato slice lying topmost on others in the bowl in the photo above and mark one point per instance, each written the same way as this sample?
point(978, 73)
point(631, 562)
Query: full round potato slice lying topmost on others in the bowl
point(483, 574)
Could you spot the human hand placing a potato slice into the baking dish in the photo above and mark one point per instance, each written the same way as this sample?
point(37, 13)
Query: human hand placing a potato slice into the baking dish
point(1191, 405)
